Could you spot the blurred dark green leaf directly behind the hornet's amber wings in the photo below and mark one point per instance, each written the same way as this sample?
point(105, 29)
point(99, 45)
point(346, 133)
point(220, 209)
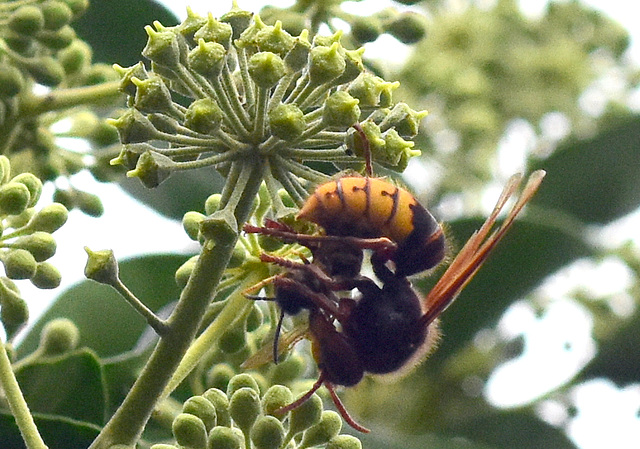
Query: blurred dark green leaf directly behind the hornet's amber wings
point(529, 253)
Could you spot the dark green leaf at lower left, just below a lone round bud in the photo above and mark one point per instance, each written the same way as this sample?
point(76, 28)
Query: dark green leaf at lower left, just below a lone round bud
point(70, 385)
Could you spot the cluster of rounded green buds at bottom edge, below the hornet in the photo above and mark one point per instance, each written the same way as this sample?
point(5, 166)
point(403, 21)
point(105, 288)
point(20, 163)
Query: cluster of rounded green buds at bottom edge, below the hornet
point(245, 416)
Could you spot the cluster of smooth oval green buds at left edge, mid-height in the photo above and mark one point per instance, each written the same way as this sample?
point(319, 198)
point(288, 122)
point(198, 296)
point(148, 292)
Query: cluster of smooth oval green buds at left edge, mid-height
point(26, 242)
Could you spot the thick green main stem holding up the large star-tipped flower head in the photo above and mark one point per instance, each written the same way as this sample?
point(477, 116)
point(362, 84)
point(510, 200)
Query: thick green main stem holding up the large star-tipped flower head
point(127, 424)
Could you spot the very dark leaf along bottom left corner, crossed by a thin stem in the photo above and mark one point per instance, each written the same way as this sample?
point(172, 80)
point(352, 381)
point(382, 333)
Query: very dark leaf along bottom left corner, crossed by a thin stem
point(56, 431)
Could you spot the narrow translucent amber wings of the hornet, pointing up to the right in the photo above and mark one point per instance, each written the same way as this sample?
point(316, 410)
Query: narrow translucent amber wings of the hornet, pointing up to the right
point(474, 253)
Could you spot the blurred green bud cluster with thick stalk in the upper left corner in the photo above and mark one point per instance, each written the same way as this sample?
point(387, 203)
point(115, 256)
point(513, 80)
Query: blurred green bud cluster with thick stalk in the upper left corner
point(40, 47)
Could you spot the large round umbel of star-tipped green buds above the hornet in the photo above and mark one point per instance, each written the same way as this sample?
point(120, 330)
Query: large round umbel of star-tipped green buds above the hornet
point(258, 95)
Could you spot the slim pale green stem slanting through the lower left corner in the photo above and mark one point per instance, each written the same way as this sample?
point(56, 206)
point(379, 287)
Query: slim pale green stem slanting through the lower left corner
point(17, 404)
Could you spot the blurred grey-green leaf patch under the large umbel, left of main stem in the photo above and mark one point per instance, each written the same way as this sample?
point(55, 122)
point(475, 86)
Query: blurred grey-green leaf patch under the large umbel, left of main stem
point(180, 193)
